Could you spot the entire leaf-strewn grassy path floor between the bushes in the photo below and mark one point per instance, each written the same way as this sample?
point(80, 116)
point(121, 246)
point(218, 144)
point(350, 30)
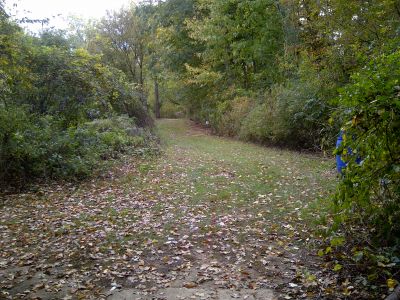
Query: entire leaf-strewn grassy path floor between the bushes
point(208, 213)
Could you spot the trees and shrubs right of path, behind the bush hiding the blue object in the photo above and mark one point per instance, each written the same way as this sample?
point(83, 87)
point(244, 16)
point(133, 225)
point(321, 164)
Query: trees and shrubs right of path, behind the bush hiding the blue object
point(305, 50)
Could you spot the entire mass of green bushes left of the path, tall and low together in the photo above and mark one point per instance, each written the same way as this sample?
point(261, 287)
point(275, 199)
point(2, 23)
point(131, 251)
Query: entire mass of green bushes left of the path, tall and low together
point(59, 108)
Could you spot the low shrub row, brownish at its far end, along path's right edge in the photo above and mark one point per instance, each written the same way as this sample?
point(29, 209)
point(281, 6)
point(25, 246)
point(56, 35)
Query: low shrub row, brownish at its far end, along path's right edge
point(291, 115)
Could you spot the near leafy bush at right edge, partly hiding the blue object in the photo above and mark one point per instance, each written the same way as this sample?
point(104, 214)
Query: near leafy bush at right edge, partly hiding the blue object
point(369, 192)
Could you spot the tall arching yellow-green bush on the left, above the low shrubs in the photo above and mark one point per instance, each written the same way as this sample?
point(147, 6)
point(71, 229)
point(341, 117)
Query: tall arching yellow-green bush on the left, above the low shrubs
point(50, 77)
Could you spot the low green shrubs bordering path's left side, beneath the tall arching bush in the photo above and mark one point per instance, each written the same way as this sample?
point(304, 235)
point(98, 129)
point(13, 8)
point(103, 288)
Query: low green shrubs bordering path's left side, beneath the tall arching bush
point(38, 147)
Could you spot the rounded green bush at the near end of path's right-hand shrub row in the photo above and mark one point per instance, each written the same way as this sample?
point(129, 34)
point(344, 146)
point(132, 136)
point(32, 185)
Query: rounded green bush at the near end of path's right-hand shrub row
point(291, 115)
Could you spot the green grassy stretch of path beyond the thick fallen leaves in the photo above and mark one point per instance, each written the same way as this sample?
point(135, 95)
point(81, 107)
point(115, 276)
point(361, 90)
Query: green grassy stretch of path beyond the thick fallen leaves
point(272, 183)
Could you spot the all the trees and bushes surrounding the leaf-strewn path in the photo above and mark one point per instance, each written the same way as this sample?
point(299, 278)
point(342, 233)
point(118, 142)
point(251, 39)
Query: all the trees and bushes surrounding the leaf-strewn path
point(280, 73)
